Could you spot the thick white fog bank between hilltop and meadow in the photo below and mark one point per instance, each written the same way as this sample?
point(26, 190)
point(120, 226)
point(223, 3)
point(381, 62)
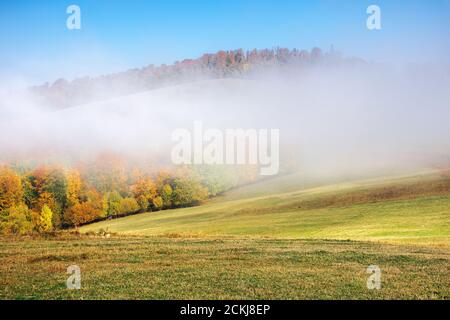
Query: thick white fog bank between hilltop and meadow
point(331, 119)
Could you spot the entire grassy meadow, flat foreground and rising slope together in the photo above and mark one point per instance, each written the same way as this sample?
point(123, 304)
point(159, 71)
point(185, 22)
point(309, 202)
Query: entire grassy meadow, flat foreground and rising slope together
point(265, 241)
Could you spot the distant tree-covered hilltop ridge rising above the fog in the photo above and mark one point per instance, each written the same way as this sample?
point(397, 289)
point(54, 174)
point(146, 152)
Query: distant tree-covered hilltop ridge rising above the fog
point(223, 64)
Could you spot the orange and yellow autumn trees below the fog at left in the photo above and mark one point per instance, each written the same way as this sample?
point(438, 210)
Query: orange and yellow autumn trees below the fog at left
point(52, 197)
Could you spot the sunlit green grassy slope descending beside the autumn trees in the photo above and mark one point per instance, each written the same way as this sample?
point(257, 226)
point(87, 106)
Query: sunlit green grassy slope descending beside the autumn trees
point(410, 209)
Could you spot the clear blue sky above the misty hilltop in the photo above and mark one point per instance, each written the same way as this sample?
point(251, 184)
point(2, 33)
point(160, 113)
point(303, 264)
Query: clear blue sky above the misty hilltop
point(36, 46)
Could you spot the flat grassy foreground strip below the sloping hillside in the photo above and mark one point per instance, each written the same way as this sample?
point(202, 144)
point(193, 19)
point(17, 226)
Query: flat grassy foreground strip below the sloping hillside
point(164, 268)
